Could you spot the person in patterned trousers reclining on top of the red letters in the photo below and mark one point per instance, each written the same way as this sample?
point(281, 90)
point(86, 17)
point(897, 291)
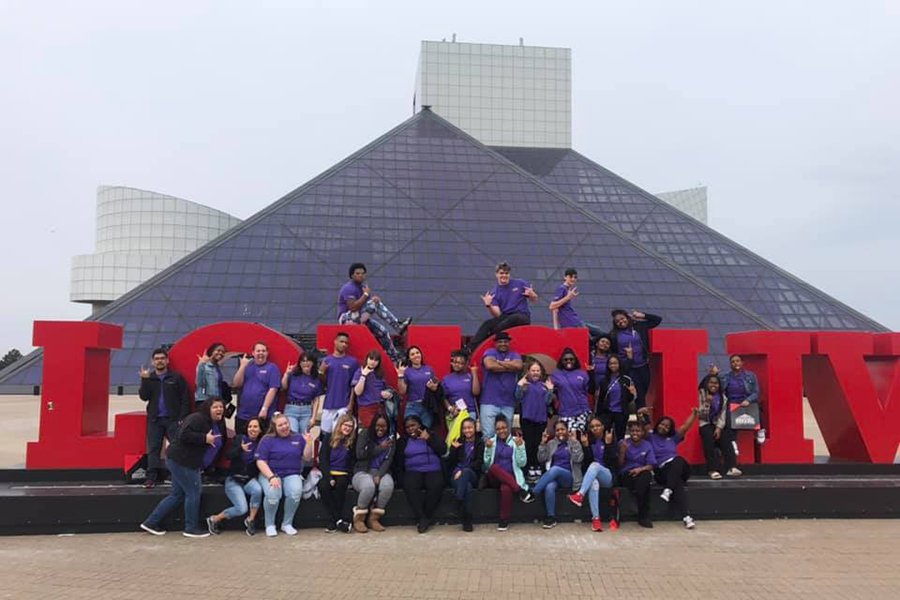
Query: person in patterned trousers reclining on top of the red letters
point(356, 304)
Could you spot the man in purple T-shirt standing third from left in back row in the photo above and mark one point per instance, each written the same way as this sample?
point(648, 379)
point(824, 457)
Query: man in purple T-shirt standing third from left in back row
point(259, 381)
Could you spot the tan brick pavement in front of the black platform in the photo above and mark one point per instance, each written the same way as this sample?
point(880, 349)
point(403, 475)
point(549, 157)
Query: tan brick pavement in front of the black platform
point(756, 560)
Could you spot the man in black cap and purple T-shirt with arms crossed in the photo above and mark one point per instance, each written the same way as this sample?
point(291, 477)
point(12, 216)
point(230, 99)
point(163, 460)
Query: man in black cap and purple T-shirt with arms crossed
point(498, 394)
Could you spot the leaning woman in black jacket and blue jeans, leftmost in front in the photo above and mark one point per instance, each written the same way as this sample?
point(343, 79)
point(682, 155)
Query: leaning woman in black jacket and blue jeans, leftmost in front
point(184, 459)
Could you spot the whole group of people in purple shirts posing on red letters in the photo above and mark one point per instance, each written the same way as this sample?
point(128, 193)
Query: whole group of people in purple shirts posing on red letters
point(561, 439)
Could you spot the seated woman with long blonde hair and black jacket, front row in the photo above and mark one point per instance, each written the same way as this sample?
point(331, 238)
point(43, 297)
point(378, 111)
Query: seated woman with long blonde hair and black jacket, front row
point(336, 458)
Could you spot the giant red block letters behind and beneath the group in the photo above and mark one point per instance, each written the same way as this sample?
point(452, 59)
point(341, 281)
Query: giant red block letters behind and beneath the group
point(852, 381)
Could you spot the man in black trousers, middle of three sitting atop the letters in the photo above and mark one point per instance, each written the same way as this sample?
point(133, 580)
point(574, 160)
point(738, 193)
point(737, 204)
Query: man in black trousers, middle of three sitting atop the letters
point(507, 303)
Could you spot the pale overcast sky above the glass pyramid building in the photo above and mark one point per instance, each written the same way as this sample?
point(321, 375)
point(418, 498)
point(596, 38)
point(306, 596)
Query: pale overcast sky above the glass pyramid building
point(788, 111)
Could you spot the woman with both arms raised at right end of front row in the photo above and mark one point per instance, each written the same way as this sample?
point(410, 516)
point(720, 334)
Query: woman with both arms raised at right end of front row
point(672, 471)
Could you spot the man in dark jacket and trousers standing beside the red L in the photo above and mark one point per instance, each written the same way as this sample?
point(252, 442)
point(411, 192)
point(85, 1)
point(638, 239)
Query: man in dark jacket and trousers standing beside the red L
point(168, 403)
